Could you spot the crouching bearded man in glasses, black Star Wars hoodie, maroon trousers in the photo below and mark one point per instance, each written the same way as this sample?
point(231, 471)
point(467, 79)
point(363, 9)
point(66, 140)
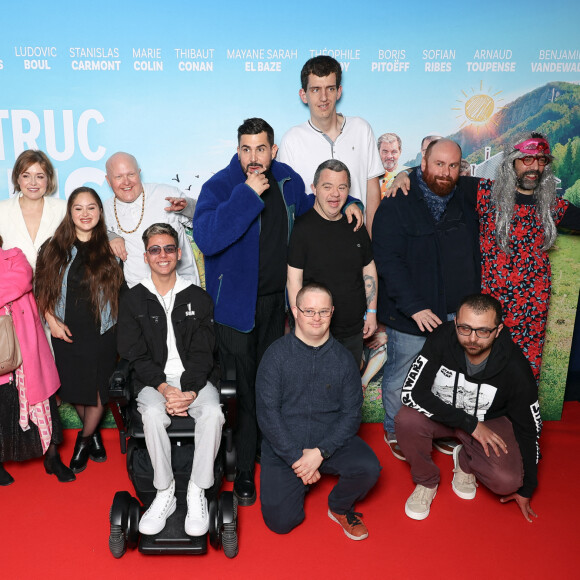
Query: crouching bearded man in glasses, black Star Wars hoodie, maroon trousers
point(471, 381)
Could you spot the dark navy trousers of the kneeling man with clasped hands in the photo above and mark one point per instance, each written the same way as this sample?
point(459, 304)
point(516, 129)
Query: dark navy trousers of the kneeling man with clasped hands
point(282, 492)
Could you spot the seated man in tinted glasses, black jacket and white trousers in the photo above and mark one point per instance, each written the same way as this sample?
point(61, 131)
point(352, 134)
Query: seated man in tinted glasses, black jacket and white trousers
point(174, 373)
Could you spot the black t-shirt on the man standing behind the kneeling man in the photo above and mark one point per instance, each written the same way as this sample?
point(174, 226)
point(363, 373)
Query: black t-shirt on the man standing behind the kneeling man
point(331, 253)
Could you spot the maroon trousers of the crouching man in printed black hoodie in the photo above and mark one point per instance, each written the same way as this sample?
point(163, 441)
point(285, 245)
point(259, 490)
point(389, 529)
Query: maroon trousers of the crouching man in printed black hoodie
point(415, 433)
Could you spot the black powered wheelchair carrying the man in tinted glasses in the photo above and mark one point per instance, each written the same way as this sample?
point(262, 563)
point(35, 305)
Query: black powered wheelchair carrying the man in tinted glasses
point(126, 510)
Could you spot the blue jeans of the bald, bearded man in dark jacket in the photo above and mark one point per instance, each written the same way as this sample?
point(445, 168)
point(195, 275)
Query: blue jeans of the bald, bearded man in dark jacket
point(402, 348)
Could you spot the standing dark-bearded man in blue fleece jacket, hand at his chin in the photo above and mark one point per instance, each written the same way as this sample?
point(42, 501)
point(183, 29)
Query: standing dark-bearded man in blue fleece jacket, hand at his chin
point(243, 218)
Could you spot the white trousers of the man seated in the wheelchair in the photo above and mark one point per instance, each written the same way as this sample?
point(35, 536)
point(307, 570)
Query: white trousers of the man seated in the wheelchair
point(206, 411)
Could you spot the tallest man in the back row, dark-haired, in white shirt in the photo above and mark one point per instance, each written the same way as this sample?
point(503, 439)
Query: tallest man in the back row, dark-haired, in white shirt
point(331, 135)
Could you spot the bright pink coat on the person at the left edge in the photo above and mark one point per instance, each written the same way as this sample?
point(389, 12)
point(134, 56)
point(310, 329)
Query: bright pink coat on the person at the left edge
point(40, 374)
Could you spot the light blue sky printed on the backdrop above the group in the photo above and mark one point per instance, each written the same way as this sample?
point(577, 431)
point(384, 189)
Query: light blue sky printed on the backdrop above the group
point(185, 122)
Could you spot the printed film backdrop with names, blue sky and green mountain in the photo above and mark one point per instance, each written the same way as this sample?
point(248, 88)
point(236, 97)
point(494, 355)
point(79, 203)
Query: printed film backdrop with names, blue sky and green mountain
point(171, 81)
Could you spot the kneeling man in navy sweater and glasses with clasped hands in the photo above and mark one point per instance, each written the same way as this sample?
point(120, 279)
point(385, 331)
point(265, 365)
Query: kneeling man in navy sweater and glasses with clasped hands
point(309, 400)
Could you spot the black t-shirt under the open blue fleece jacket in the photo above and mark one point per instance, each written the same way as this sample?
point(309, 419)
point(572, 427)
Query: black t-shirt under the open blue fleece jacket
point(273, 240)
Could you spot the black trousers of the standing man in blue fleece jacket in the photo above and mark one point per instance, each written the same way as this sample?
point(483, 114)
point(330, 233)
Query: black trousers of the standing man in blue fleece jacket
point(248, 349)
